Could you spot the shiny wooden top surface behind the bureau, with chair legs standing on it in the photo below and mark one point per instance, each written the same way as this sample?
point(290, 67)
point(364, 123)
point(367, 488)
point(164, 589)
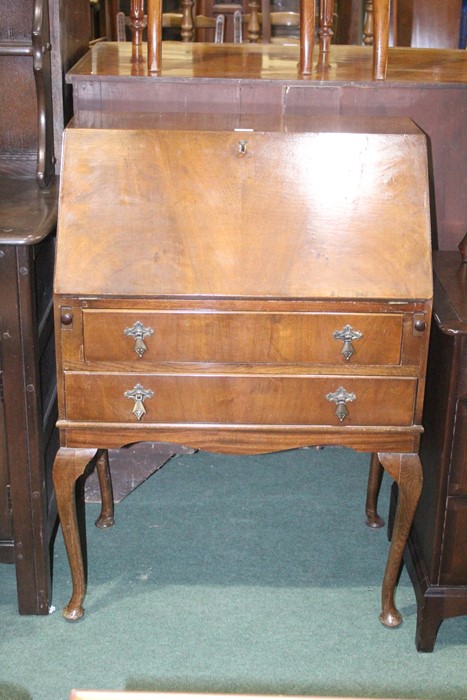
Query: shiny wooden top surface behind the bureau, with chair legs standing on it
point(182, 61)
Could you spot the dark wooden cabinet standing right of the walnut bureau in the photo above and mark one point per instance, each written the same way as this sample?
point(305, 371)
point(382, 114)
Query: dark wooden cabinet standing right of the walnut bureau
point(436, 556)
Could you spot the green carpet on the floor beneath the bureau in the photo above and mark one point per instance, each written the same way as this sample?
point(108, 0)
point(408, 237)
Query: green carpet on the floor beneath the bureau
point(238, 575)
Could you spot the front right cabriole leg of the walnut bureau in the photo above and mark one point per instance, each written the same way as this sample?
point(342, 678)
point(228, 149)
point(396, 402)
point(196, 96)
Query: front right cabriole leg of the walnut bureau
point(406, 470)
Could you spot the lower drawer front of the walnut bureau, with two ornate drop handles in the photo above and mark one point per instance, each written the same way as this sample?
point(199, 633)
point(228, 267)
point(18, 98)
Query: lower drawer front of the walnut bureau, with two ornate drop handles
point(220, 399)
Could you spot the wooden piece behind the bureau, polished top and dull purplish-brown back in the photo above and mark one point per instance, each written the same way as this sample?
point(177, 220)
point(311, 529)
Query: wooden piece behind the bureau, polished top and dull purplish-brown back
point(428, 86)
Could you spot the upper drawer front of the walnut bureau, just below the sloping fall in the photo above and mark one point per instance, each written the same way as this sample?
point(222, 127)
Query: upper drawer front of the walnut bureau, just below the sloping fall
point(368, 339)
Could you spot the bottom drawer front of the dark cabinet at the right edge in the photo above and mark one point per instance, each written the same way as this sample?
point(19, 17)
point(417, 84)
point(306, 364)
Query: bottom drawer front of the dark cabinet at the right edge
point(454, 554)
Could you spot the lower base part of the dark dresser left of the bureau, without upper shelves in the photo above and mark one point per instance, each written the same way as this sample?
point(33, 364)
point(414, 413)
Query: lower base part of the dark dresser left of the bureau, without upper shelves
point(28, 407)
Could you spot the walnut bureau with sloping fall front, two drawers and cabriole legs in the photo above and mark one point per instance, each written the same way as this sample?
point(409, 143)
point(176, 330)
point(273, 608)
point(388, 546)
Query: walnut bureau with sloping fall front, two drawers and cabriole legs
point(288, 307)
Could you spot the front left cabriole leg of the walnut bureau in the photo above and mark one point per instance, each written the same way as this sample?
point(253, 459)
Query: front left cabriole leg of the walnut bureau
point(69, 465)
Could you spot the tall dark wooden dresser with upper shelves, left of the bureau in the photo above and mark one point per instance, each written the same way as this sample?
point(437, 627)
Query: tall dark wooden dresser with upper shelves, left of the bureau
point(35, 52)
